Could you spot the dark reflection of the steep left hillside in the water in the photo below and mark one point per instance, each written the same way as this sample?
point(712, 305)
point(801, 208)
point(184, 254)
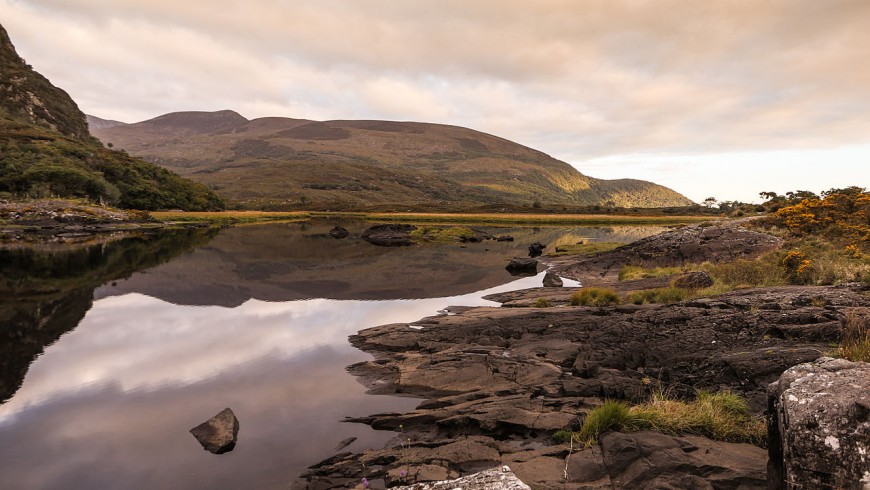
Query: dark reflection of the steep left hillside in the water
point(45, 293)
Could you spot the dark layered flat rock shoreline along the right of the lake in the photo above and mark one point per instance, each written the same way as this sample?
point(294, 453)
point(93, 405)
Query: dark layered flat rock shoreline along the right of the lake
point(497, 383)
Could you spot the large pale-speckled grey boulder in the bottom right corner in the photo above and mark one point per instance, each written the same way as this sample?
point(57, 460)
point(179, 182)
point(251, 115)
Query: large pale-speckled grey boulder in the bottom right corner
point(818, 426)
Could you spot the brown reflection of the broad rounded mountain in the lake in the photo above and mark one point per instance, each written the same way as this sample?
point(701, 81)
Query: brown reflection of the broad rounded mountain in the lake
point(300, 260)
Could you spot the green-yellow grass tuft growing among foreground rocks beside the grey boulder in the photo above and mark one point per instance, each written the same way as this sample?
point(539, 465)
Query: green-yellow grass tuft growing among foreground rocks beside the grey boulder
point(721, 416)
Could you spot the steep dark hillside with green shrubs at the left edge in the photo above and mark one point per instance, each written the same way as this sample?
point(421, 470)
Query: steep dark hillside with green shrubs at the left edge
point(46, 150)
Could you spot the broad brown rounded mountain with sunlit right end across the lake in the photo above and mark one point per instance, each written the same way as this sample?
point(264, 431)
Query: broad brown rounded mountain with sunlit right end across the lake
point(289, 163)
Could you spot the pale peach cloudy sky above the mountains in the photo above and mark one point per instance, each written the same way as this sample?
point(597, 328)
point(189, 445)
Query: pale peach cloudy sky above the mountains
point(714, 98)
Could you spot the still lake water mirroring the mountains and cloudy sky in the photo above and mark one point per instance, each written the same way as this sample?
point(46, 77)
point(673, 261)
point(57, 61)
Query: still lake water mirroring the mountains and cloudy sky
point(111, 352)
